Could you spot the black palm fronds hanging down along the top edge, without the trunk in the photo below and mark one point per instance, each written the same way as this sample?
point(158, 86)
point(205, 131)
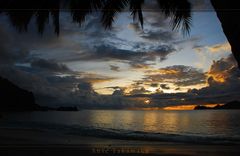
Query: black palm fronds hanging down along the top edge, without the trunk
point(21, 12)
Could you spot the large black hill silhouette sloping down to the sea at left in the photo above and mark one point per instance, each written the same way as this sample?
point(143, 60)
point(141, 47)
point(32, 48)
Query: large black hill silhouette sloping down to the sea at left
point(13, 98)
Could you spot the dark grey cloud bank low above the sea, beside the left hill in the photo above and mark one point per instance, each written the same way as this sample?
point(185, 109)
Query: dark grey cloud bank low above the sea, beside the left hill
point(55, 90)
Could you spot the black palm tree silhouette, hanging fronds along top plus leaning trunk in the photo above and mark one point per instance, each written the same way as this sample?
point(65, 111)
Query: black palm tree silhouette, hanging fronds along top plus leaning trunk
point(21, 12)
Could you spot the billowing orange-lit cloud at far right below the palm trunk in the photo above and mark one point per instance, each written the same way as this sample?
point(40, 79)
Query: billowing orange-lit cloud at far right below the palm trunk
point(224, 78)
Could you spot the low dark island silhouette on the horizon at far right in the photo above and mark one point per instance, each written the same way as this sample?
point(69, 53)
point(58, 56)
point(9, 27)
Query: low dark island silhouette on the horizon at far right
point(229, 105)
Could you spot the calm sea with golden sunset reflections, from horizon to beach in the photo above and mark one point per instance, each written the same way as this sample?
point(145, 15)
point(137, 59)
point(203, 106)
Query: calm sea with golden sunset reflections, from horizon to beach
point(220, 124)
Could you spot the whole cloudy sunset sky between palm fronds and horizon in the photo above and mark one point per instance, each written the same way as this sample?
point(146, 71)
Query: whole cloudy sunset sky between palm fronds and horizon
point(126, 66)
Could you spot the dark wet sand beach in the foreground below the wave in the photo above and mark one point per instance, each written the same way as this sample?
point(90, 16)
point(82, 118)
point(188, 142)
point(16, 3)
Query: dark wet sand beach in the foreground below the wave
point(37, 142)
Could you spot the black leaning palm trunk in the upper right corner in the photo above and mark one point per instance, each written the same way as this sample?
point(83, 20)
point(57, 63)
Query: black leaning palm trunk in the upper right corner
point(228, 13)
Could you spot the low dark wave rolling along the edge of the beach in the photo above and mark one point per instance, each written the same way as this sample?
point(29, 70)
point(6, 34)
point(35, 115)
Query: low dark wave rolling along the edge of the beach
point(123, 134)
